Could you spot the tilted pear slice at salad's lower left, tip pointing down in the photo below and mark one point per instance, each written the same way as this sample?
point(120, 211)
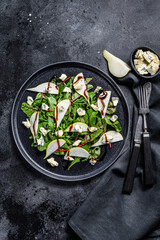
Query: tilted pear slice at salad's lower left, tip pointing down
point(53, 146)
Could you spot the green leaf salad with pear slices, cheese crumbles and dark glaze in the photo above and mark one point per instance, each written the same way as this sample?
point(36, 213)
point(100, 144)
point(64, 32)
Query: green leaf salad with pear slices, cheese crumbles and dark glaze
point(69, 117)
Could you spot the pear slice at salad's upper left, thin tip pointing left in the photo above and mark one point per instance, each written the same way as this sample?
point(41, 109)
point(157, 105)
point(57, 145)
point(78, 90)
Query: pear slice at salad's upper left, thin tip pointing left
point(46, 87)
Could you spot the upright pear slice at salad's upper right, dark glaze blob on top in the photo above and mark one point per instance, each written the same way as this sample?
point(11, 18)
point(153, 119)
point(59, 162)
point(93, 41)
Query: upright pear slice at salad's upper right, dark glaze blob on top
point(103, 101)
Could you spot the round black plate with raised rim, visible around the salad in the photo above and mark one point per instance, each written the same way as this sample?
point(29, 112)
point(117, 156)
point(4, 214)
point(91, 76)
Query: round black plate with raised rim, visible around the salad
point(21, 134)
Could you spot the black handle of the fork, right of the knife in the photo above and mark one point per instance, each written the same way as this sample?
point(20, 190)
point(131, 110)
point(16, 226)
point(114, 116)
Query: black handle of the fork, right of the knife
point(148, 166)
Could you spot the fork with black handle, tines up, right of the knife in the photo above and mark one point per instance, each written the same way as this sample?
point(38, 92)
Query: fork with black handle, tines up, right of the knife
point(144, 95)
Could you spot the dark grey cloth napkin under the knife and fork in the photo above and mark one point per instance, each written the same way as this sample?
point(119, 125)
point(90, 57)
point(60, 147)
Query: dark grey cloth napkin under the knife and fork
point(107, 214)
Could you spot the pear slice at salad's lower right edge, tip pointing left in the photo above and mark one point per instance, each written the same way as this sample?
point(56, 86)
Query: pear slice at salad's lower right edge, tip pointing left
point(109, 137)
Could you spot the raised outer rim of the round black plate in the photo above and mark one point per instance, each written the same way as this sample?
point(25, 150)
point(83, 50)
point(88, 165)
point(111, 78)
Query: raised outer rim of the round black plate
point(22, 149)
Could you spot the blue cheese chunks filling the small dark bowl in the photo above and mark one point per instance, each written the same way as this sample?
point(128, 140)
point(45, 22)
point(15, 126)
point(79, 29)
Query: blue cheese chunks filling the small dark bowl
point(146, 62)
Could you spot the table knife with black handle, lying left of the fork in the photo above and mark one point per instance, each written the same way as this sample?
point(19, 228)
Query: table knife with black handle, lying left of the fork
point(129, 179)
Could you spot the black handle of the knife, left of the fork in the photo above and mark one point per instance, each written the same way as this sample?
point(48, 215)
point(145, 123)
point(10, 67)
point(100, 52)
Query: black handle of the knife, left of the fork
point(129, 179)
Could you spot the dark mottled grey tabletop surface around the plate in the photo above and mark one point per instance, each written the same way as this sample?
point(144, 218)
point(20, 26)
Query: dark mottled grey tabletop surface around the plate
point(36, 33)
